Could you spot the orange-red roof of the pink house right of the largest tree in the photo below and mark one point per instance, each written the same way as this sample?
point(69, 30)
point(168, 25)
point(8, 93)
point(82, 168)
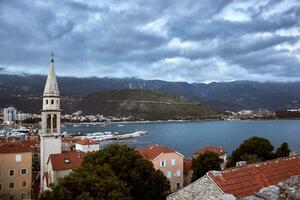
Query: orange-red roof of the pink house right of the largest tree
point(152, 151)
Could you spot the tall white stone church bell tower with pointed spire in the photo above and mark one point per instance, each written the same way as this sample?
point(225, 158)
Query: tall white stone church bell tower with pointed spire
point(50, 134)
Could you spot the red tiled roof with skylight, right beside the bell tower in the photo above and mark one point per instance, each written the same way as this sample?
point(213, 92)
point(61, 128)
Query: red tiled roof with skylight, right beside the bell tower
point(66, 160)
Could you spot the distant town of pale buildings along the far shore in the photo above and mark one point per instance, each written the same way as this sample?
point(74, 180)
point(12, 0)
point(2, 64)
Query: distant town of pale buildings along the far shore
point(11, 116)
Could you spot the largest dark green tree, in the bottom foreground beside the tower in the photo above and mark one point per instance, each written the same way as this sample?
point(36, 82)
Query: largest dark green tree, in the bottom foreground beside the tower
point(116, 172)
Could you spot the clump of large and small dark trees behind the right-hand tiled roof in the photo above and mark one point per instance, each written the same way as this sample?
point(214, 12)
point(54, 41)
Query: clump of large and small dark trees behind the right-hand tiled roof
point(256, 149)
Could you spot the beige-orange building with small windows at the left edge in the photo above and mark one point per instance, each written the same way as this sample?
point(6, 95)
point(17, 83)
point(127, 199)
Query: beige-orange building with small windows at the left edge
point(15, 171)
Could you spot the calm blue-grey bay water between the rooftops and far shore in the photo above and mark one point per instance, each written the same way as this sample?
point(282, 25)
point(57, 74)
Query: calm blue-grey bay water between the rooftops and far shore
point(186, 137)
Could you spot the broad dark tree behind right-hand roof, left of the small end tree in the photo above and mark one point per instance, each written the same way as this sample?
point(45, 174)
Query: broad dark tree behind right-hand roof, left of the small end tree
point(261, 148)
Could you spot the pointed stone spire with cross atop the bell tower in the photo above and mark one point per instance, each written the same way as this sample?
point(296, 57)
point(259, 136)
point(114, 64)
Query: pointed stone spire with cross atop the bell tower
point(51, 87)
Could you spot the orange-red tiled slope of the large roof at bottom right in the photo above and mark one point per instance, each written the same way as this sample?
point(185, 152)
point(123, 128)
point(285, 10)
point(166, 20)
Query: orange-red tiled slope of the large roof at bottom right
point(249, 179)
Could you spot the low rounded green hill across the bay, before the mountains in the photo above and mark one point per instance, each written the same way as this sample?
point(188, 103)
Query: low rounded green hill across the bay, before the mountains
point(144, 104)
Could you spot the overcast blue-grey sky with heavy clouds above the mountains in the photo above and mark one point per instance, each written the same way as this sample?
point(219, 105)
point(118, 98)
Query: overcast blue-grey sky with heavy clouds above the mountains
point(172, 40)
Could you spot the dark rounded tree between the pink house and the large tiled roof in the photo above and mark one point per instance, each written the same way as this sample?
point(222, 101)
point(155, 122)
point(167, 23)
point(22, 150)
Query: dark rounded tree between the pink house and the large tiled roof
point(204, 163)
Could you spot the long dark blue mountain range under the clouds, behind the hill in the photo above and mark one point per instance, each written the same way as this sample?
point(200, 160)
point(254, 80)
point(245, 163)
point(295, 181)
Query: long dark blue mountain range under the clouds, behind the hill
point(25, 91)
